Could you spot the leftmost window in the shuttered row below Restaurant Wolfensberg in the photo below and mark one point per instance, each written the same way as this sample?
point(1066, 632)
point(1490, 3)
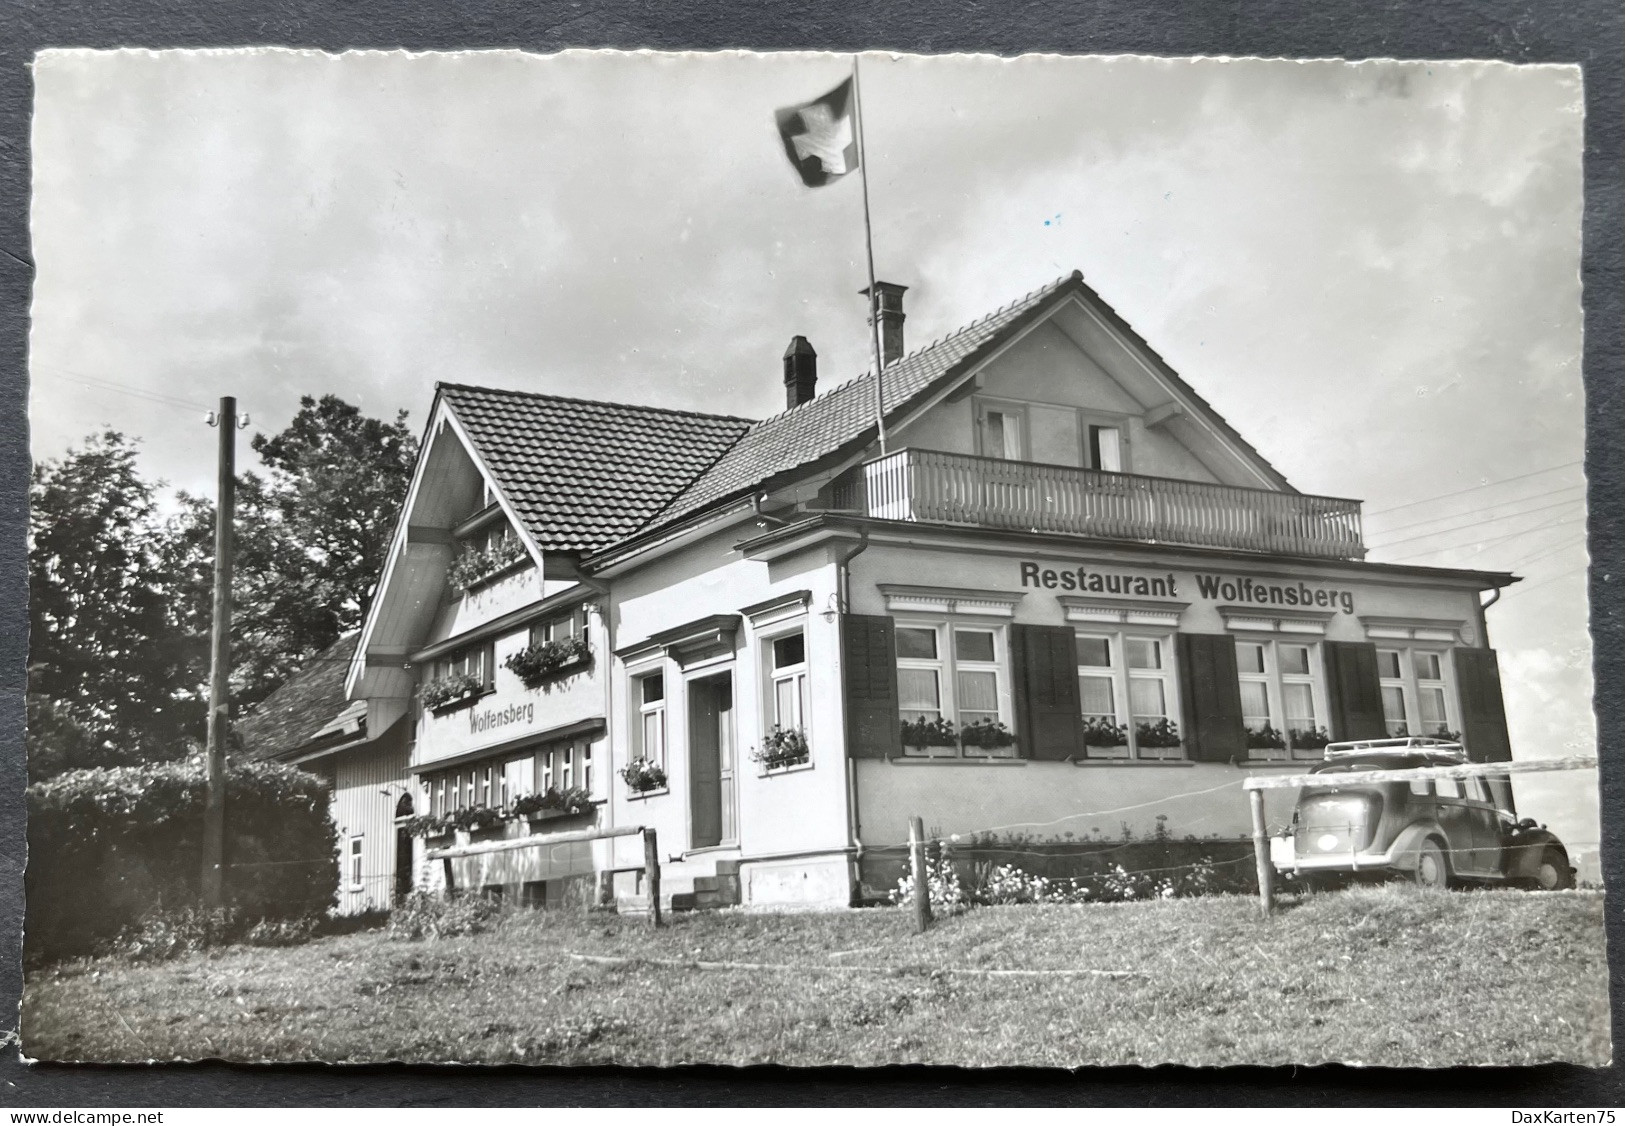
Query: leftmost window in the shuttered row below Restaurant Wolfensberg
point(955, 675)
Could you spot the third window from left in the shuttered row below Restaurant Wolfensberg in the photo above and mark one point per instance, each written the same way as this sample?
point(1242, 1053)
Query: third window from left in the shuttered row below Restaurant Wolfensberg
point(1283, 699)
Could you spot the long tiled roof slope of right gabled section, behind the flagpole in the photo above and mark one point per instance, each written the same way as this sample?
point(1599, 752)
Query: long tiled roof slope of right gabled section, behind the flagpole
point(825, 425)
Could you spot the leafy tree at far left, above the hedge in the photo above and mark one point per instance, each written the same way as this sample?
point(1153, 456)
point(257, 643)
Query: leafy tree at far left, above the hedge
point(111, 677)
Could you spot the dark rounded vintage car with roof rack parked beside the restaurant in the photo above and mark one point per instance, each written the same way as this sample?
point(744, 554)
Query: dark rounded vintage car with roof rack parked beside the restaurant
point(1439, 833)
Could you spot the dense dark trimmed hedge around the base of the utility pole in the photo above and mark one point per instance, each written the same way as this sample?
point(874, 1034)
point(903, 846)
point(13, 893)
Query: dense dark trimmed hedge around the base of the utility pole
point(113, 847)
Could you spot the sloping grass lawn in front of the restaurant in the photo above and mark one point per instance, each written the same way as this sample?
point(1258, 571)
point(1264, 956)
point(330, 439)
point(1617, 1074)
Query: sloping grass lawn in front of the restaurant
point(1387, 976)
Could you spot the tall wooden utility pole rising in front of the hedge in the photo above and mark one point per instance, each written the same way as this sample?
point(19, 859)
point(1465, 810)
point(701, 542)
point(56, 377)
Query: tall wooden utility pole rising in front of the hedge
point(220, 656)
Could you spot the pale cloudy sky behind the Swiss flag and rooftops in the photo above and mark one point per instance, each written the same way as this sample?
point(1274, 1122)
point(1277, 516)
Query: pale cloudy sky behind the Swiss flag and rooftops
point(1371, 271)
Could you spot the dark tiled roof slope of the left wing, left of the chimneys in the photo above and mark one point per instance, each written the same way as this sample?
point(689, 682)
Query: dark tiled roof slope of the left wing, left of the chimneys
point(583, 474)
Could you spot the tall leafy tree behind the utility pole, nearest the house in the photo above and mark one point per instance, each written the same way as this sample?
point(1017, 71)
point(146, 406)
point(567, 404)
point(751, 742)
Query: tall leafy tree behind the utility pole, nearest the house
point(313, 535)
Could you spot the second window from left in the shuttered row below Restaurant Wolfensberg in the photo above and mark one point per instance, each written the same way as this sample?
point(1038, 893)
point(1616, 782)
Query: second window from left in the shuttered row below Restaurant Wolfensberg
point(1127, 691)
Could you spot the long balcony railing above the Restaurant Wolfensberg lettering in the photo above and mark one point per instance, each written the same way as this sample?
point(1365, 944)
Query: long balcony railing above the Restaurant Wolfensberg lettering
point(951, 488)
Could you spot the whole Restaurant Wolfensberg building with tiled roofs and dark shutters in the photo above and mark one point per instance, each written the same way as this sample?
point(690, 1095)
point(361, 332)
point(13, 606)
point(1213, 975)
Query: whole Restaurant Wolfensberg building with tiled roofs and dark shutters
point(1065, 599)
